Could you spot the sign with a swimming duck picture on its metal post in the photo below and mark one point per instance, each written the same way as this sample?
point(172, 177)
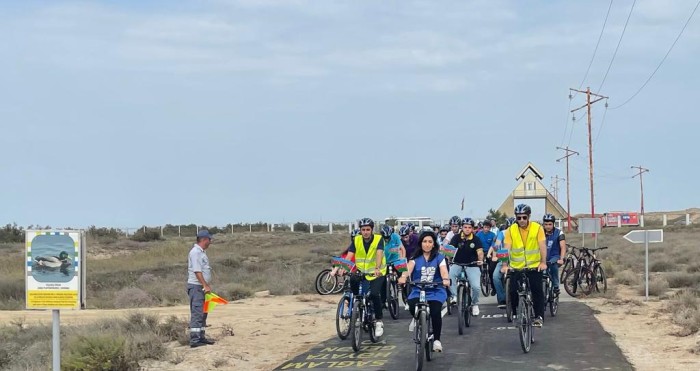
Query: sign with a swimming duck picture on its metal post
point(55, 276)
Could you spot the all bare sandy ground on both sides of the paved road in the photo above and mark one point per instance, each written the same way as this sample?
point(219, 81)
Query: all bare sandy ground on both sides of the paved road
point(269, 330)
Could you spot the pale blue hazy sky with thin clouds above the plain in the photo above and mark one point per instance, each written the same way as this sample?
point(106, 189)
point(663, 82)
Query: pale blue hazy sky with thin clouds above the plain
point(135, 113)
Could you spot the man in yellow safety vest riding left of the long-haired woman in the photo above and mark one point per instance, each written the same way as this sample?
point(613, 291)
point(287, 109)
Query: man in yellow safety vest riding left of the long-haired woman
point(368, 251)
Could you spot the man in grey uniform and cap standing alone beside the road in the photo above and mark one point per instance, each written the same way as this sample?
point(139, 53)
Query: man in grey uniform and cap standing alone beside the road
point(198, 278)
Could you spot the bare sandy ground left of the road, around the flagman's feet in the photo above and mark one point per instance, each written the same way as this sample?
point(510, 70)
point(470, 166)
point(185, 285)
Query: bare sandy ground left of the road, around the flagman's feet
point(267, 331)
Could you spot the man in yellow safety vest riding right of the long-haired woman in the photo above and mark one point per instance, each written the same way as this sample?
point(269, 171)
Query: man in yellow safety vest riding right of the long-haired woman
point(527, 247)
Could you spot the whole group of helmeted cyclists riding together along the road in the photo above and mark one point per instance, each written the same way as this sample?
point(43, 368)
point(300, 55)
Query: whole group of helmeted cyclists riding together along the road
point(526, 244)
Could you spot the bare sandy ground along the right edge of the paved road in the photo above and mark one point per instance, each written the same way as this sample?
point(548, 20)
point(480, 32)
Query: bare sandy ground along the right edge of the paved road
point(645, 333)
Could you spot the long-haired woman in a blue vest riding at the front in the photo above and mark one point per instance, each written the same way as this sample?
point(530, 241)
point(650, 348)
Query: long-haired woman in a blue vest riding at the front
point(428, 265)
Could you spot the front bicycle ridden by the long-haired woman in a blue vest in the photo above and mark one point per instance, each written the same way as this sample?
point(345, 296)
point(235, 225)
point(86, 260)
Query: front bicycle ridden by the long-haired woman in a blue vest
point(423, 332)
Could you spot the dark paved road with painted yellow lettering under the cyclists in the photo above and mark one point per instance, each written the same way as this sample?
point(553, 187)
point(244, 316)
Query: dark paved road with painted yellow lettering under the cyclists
point(573, 340)
